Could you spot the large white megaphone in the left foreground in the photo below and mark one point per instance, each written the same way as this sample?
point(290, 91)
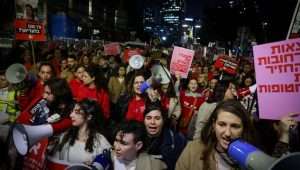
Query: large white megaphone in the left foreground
point(25, 136)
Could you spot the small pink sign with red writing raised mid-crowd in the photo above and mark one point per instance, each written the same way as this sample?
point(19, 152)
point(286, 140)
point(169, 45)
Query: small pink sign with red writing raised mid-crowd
point(181, 61)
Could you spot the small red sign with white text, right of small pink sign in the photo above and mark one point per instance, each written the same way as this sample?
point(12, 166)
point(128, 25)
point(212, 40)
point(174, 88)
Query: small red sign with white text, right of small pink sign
point(226, 63)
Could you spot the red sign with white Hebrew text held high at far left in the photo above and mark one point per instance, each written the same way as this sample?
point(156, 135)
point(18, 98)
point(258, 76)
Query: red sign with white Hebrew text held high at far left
point(29, 30)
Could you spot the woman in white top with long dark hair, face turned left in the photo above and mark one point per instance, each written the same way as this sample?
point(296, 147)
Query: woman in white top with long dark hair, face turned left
point(83, 141)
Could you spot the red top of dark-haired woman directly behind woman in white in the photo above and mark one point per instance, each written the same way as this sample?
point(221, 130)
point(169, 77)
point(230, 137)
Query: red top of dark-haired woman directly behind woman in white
point(101, 96)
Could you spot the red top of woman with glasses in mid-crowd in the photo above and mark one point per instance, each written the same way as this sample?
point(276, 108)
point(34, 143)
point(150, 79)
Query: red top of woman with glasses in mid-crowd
point(136, 109)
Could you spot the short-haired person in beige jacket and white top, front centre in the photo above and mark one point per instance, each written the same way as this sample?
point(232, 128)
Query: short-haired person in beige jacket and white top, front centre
point(128, 150)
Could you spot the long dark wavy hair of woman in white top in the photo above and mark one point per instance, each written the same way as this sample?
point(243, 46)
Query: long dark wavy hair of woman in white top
point(90, 109)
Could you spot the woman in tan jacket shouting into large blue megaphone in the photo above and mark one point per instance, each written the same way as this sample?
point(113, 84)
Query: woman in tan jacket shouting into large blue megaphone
point(228, 121)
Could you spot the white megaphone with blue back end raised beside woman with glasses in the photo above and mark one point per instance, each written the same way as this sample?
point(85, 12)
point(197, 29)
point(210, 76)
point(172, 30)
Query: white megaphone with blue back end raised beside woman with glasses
point(159, 75)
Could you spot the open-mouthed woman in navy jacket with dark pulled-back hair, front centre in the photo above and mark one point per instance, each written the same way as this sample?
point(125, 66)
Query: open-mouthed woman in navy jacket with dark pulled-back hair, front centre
point(162, 142)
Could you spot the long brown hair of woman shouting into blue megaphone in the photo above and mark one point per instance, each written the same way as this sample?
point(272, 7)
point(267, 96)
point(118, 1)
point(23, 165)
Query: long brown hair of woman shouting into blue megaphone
point(208, 136)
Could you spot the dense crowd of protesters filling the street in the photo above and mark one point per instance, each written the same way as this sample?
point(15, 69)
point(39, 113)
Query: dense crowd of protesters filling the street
point(184, 124)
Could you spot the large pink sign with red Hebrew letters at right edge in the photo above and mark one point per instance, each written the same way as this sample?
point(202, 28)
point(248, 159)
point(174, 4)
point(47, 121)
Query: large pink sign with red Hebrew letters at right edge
point(277, 67)
